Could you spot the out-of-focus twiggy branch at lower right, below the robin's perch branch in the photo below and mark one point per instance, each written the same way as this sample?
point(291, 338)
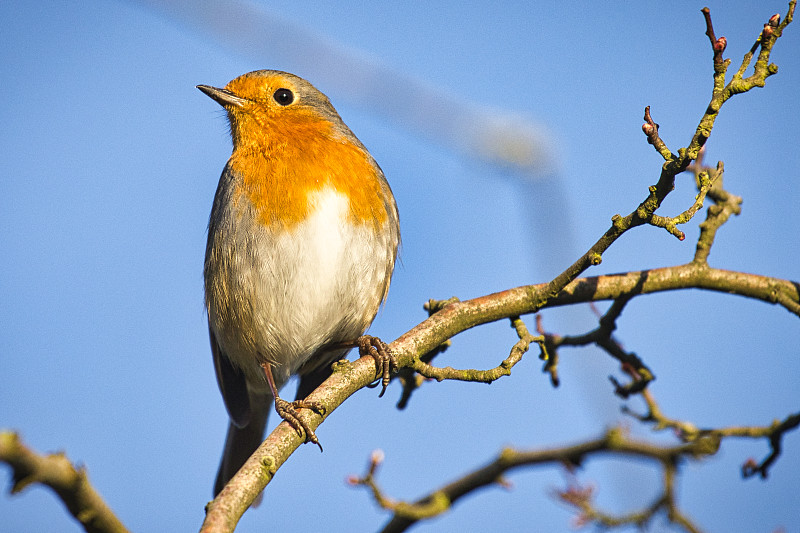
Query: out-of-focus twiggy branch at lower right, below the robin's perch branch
point(697, 444)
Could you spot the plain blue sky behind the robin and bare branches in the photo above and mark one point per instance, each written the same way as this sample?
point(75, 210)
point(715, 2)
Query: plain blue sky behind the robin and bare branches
point(510, 134)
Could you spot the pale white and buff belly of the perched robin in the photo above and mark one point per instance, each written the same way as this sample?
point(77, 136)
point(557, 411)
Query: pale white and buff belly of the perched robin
point(299, 289)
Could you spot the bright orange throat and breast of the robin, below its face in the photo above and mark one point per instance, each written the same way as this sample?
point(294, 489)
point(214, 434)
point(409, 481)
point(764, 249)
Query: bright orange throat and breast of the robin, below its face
point(299, 155)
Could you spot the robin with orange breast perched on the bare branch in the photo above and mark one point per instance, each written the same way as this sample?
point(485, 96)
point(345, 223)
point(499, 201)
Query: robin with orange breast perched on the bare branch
point(302, 242)
